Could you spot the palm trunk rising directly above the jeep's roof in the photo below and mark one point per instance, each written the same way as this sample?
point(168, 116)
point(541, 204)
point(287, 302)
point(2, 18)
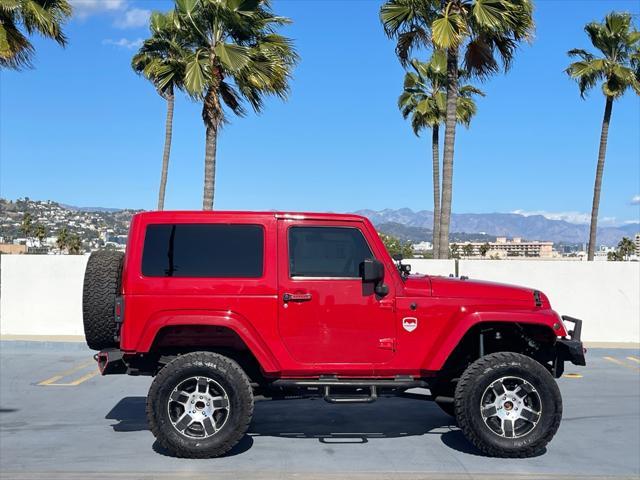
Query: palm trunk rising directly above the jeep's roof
point(211, 113)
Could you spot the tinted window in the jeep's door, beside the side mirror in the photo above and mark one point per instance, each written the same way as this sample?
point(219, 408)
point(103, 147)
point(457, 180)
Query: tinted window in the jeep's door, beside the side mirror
point(326, 251)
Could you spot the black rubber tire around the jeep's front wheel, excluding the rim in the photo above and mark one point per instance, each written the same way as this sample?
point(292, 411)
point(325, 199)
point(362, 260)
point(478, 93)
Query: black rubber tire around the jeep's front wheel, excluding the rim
point(479, 376)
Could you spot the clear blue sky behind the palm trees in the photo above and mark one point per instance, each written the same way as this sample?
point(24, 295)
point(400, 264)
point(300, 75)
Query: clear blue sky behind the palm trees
point(81, 128)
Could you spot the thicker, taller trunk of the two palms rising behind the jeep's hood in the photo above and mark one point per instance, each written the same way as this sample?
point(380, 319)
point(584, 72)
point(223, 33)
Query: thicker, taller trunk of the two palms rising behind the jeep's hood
point(449, 141)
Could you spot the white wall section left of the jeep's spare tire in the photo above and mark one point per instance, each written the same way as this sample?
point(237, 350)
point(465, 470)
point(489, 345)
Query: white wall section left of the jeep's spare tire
point(41, 294)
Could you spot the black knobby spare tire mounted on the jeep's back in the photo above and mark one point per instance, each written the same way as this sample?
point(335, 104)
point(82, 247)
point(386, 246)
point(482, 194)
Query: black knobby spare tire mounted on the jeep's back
point(102, 284)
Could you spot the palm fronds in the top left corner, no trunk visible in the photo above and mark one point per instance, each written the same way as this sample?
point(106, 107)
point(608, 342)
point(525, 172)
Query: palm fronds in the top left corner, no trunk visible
point(43, 16)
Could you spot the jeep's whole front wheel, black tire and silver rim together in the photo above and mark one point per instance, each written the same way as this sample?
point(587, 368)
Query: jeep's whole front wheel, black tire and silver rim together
point(508, 405)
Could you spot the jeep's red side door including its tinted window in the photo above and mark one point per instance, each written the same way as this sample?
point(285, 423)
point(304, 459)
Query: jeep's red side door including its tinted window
point(326, 313)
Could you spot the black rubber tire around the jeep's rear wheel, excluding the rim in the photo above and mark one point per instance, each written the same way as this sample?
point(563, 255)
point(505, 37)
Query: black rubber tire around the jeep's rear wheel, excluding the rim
point(225, 372)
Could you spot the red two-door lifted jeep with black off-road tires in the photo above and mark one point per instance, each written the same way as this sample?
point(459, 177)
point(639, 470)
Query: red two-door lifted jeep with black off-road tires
point(222, 306)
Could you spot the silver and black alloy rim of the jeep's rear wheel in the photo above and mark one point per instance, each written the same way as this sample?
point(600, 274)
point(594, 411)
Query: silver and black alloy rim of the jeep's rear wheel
point(198, 407)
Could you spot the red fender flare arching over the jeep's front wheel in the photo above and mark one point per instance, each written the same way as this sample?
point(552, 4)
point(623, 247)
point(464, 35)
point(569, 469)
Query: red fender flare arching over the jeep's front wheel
point(463, 322)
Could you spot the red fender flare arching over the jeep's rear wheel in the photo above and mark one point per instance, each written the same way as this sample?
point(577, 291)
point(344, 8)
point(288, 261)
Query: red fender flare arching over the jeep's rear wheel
point(222, 318)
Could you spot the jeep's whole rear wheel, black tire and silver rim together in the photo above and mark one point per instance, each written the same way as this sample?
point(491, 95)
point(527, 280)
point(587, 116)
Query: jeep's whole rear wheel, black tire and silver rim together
point(200, 405)
